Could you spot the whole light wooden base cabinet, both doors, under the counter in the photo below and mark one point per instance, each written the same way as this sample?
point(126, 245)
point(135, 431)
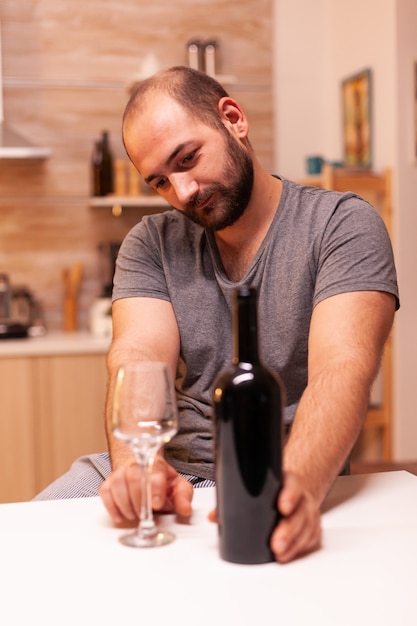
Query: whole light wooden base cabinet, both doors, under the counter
point(51, 412)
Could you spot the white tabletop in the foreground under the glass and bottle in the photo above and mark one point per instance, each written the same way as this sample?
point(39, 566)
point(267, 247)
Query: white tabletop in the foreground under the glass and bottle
point(61, 563)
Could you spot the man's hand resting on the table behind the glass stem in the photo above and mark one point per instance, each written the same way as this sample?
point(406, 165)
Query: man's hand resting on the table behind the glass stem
point(121, 492)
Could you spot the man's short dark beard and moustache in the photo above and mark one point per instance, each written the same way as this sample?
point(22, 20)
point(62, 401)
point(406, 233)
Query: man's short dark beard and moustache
point(229, 201)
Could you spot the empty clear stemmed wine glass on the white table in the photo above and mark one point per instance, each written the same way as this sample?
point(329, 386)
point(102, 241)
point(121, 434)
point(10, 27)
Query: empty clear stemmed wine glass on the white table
point(145, 416)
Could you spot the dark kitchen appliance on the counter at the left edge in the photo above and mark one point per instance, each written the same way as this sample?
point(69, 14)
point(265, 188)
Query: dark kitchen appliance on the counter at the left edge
point(20, 312)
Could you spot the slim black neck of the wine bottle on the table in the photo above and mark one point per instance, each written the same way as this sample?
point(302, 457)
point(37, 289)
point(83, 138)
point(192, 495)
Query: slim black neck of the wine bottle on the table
point(245, 327)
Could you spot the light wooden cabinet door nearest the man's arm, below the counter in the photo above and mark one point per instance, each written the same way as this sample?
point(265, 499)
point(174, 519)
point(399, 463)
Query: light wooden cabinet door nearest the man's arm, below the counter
point(71, 397)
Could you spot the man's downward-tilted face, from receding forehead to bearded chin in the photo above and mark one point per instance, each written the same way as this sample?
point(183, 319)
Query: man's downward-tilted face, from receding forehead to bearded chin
point(204, 172)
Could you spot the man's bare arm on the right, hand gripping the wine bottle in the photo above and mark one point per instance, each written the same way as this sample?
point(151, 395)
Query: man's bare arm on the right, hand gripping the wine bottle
point(346, 340)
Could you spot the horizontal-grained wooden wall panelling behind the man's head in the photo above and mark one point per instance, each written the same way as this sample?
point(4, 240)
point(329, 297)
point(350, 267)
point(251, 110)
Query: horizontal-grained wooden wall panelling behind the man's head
point(67, 67)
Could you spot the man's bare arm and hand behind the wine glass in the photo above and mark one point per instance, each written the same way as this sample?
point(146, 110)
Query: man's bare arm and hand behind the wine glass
point(143, 329)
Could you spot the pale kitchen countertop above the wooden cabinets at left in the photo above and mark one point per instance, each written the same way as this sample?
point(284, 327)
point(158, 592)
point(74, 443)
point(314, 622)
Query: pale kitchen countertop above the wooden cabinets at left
point(55, 343)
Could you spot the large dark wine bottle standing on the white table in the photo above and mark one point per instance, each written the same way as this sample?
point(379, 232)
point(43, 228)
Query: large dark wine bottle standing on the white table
point(248, 404)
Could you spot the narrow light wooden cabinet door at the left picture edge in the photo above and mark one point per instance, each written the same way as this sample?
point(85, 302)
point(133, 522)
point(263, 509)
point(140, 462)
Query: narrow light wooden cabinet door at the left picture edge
point(18, 479)
